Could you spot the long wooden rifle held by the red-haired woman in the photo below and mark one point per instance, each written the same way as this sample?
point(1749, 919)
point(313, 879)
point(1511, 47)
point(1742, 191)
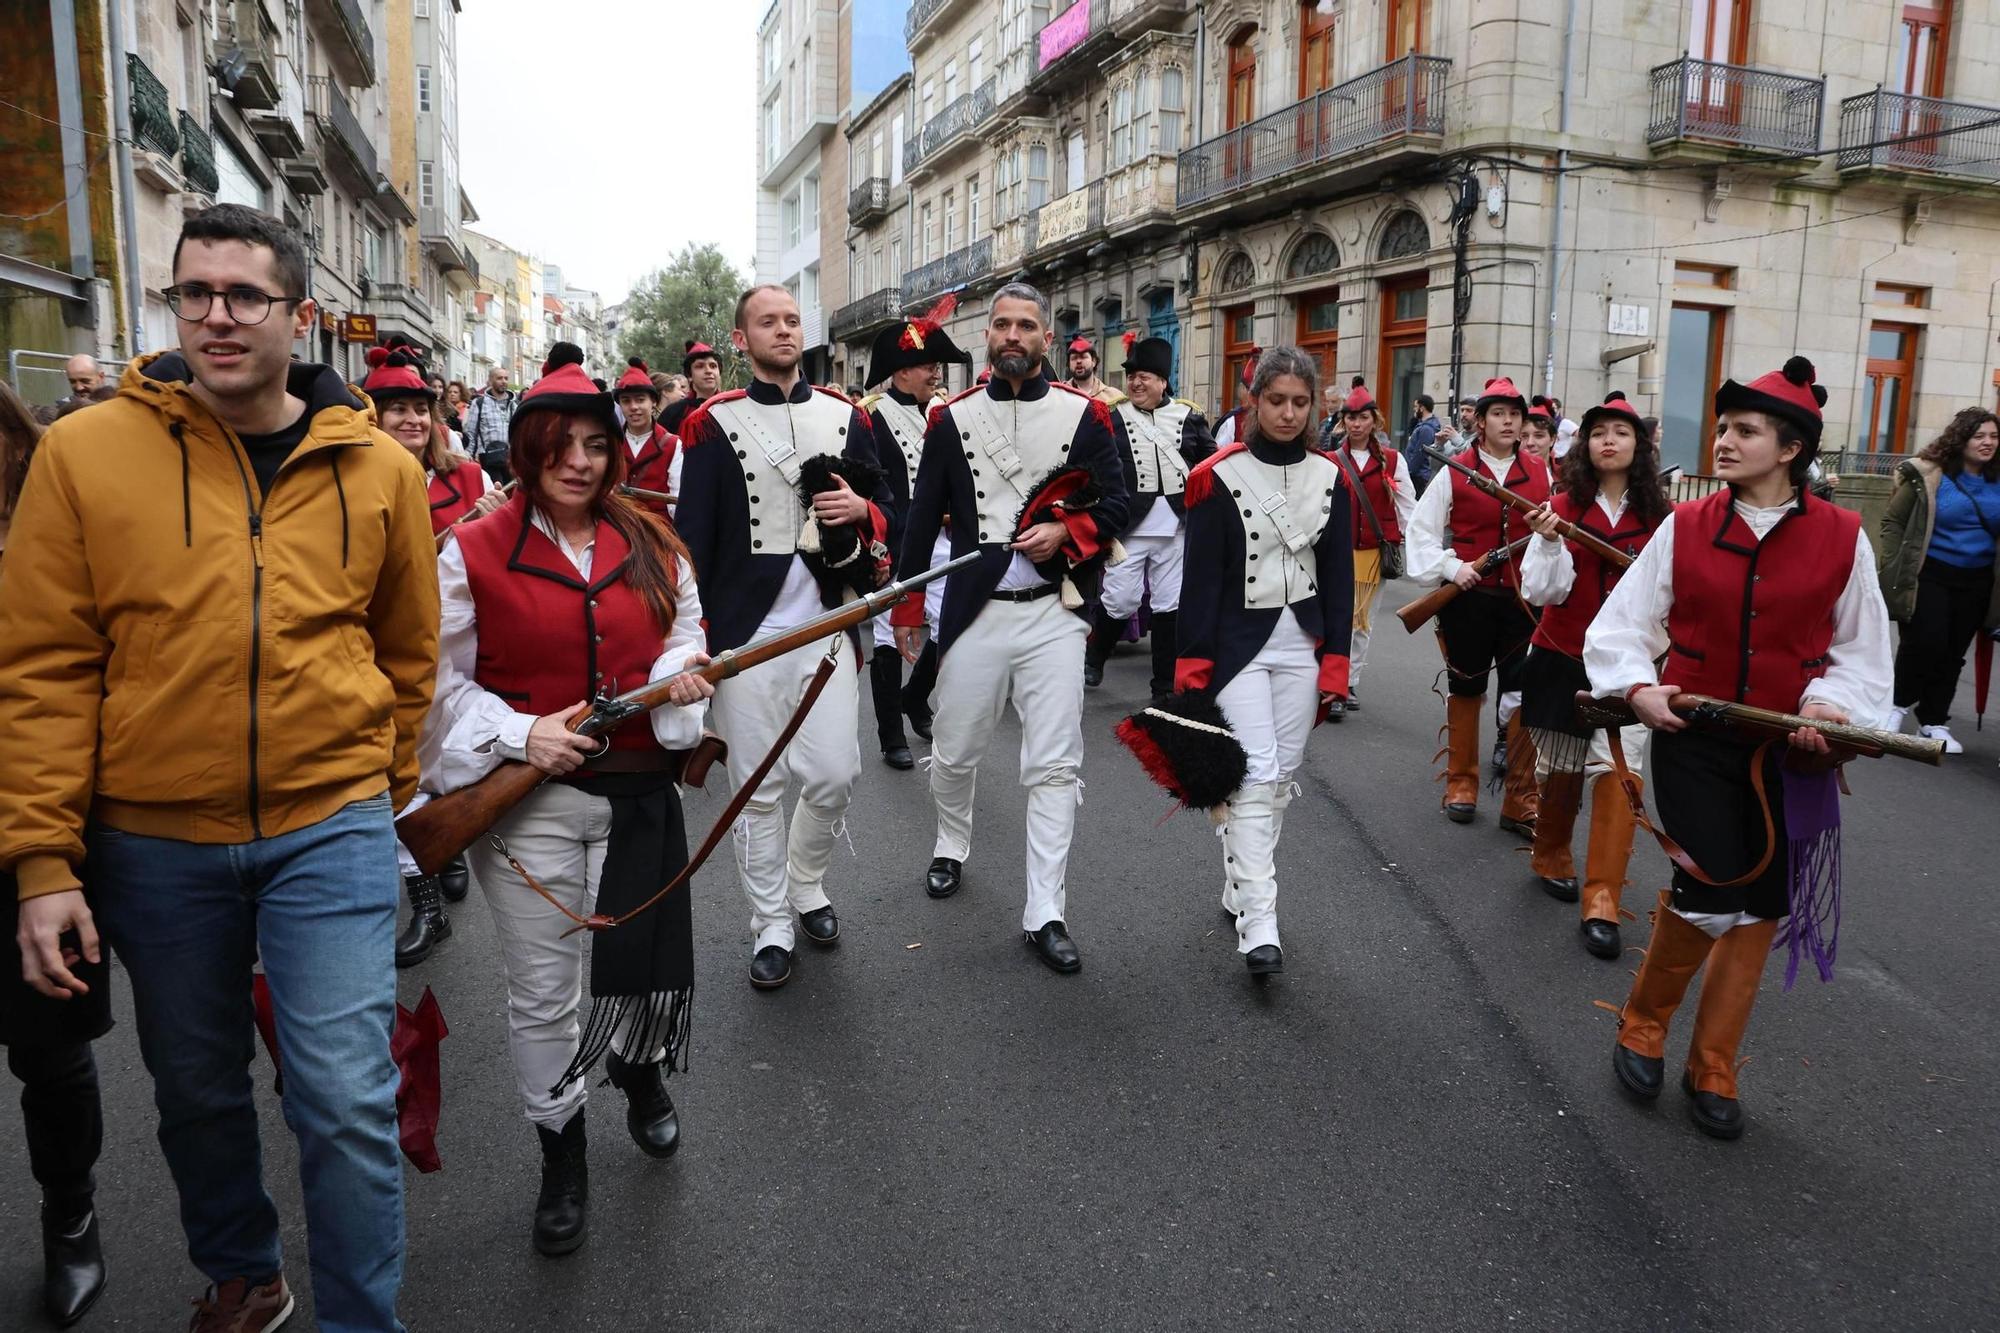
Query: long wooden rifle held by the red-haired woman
point(451, 824)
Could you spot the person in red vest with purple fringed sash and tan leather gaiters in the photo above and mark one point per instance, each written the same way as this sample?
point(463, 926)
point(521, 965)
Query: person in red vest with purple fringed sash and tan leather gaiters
point(1765, 595)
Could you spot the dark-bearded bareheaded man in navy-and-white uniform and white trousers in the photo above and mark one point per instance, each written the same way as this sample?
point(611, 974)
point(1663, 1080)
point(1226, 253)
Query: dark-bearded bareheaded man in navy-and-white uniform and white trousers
point(1031, 479)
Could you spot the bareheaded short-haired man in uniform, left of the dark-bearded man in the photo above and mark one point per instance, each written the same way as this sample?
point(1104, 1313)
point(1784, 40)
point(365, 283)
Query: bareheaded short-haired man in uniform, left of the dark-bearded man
point(785, 511)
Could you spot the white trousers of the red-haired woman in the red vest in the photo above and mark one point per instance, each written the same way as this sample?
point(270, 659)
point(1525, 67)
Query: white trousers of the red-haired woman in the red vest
point(559, 836)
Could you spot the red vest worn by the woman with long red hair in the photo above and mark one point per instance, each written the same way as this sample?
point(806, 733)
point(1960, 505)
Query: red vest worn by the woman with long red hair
point(547, 637)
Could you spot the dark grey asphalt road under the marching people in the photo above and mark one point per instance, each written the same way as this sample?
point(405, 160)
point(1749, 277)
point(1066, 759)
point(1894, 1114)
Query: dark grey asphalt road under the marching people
point(1415, 1128)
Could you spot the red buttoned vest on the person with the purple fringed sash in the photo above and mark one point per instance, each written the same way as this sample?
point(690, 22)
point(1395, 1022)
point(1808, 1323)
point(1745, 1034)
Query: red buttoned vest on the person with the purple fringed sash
point(1753, 619)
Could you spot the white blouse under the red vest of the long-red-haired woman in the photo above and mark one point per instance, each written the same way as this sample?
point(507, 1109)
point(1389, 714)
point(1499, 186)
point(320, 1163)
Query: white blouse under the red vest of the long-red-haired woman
point(471, 732)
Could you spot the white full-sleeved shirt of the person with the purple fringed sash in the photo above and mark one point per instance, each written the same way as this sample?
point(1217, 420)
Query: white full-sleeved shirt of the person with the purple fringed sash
point(1631, 631)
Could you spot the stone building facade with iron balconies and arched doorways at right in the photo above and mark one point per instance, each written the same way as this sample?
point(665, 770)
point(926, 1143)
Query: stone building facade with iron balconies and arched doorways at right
point(1427, 193)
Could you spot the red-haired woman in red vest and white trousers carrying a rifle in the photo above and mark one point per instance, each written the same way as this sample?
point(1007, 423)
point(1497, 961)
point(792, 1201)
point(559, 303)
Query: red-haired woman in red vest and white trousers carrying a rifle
point(563, 593)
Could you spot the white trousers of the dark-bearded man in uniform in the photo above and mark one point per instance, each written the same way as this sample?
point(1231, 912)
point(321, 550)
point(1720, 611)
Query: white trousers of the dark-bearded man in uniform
point(1029, 653)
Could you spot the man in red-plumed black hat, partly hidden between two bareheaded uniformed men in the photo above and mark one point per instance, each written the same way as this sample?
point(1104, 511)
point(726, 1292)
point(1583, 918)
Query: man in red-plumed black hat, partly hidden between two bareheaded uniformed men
point(909, 355)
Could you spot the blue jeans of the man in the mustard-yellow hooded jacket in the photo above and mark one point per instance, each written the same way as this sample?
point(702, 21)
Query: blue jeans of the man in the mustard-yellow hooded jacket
point(319, 906)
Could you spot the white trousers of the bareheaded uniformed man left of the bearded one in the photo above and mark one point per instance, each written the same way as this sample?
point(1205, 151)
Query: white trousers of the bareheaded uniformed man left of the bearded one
point(785, 874)
